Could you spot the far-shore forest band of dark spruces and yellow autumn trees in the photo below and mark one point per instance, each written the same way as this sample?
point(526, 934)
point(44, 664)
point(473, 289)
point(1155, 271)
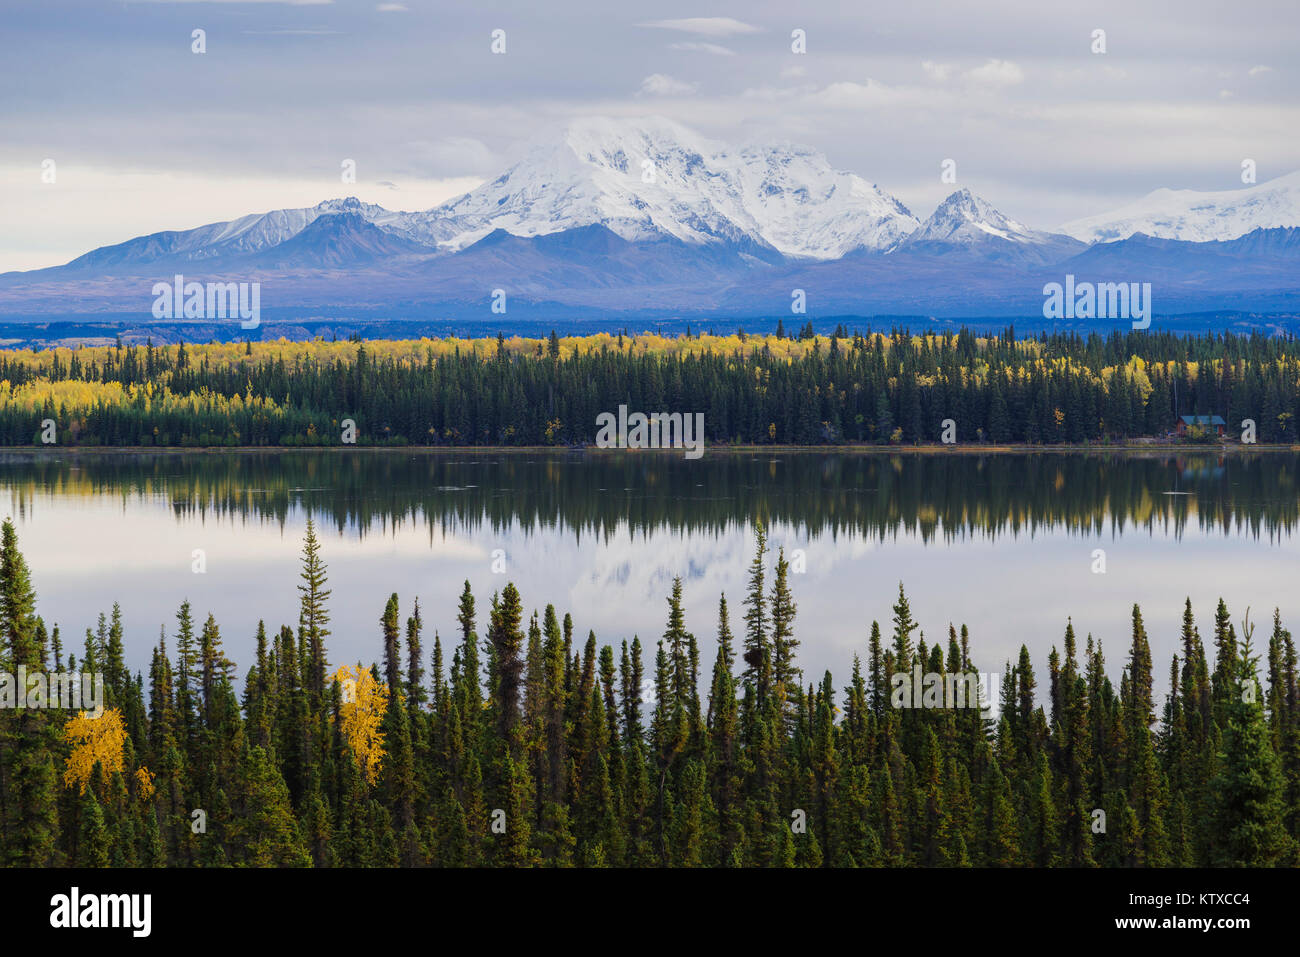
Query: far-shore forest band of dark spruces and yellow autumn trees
point(896, 388)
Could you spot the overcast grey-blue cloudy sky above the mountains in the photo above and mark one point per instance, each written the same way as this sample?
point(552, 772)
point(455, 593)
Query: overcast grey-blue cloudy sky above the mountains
point(148, 136)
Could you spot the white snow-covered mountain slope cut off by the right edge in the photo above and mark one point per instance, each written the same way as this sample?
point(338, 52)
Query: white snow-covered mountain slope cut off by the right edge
point(1198, 216)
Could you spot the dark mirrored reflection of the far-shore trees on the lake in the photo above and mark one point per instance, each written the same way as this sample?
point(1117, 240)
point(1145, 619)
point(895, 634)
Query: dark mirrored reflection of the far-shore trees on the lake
point(882, 496)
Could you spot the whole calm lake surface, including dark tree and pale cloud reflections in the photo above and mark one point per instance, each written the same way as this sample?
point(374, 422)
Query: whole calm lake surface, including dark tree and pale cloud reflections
point(1004, 543)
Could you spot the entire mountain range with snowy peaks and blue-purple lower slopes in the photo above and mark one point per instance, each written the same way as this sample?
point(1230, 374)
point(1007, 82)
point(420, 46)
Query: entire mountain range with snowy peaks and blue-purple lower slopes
point(647, 219)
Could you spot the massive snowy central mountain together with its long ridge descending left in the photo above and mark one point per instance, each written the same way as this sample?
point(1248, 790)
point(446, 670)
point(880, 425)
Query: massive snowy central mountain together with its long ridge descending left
point(644, 180)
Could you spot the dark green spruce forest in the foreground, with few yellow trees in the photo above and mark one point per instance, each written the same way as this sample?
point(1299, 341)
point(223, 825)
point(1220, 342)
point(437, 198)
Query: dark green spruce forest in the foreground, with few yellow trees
point(530, 746)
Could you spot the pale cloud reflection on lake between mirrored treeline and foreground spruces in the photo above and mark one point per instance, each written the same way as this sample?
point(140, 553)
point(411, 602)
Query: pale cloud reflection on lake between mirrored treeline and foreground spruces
point(1008, 591)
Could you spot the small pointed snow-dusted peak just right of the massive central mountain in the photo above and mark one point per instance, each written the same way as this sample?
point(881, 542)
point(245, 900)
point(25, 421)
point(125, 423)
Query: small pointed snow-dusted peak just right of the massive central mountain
point(968, 223)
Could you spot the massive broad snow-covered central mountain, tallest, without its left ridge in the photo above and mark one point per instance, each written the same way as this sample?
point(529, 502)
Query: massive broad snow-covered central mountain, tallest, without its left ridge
point(652, 179)
